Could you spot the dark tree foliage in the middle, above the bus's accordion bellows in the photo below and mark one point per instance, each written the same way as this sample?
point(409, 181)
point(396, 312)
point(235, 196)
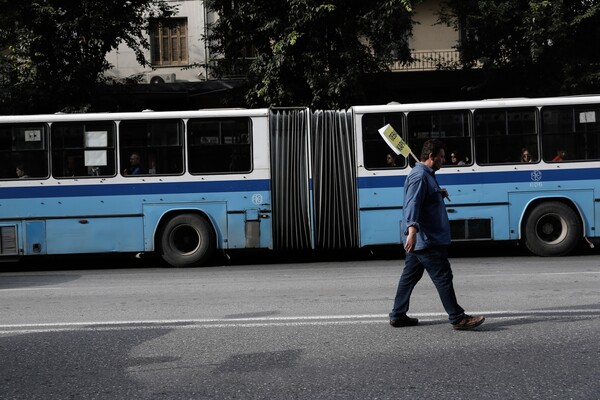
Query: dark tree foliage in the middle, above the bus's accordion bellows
point(308, 52)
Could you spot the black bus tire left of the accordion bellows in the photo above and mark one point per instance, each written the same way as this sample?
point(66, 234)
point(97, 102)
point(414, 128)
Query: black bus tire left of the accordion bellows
point(186, 240)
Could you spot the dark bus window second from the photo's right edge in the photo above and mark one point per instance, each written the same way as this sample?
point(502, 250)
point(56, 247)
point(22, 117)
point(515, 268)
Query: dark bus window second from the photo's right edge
point(501, 134)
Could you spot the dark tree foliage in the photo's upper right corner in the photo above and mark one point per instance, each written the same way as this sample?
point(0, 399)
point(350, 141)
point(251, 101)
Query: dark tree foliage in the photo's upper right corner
point(542, 47)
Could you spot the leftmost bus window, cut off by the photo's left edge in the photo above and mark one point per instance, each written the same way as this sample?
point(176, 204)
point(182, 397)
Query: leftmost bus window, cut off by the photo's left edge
point(23, 145)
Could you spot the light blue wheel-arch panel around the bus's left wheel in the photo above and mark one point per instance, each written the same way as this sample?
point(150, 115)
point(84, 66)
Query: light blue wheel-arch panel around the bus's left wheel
point(215, 211)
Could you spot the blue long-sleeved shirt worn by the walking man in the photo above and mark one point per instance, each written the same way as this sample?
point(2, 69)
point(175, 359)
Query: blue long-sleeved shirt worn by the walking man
point(424, 208)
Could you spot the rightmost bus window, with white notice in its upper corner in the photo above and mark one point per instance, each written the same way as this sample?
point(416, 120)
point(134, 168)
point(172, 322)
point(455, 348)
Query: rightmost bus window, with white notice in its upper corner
point(572, 130)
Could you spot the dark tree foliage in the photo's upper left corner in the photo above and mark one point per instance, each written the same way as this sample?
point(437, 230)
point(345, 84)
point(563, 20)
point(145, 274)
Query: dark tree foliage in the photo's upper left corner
point(54, 51)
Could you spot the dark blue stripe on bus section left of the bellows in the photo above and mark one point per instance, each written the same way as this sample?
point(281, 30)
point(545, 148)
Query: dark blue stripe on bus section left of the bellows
point(134, 189)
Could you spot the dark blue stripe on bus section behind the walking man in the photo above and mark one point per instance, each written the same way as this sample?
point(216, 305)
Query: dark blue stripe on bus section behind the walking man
point(474, 178)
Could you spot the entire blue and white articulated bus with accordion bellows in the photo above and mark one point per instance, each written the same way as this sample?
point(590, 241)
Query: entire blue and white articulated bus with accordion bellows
point(527, 170)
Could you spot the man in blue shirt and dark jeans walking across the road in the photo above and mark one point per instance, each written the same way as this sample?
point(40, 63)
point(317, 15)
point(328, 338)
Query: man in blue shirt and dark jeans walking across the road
point(425, 232)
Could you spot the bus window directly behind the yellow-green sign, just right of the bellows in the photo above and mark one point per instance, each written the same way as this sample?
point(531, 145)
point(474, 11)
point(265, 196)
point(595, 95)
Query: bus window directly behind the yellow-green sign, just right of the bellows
point(375, 150)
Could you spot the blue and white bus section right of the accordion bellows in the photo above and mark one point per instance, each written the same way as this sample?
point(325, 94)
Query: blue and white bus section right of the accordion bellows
point(549, 201)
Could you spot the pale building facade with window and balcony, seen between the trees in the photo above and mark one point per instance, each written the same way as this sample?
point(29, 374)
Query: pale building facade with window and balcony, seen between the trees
point(179, 55)
